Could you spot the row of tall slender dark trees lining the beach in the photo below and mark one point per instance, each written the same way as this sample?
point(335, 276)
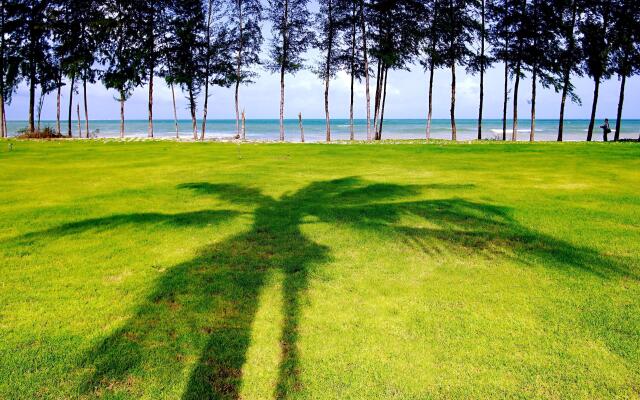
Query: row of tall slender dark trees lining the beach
point(63, 45)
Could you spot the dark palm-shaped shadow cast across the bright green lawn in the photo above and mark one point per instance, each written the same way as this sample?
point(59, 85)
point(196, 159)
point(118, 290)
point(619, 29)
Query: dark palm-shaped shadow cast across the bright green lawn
point(201, 311)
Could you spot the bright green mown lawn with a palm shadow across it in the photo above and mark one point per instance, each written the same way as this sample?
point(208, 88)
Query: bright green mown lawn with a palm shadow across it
point(164, 270)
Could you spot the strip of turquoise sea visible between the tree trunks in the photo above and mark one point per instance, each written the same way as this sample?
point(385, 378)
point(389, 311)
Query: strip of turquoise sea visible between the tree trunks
point(314, 129)
